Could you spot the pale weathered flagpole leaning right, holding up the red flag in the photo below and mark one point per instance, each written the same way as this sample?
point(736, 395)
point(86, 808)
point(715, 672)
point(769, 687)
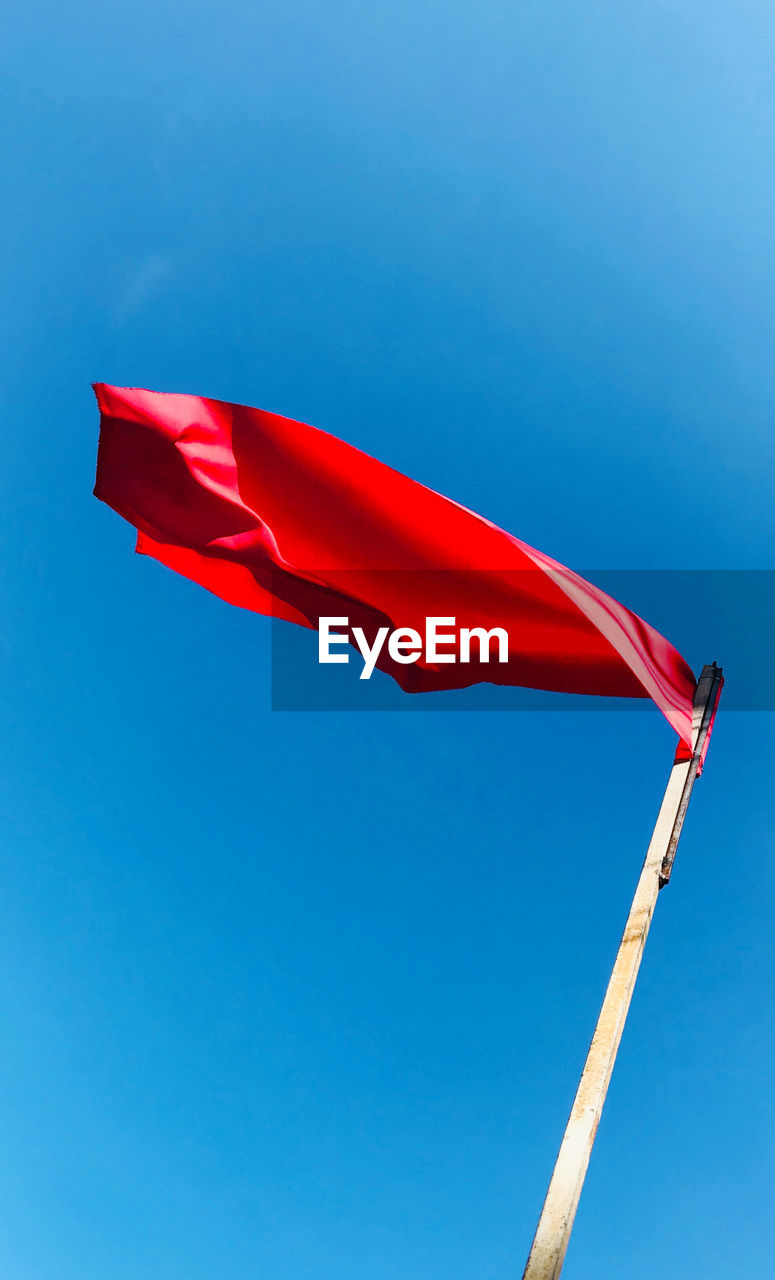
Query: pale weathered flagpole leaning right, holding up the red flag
point(566, 1187)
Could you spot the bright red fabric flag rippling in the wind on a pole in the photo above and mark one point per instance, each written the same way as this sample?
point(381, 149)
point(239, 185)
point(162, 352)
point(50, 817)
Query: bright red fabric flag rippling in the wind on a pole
point(286, 520)
